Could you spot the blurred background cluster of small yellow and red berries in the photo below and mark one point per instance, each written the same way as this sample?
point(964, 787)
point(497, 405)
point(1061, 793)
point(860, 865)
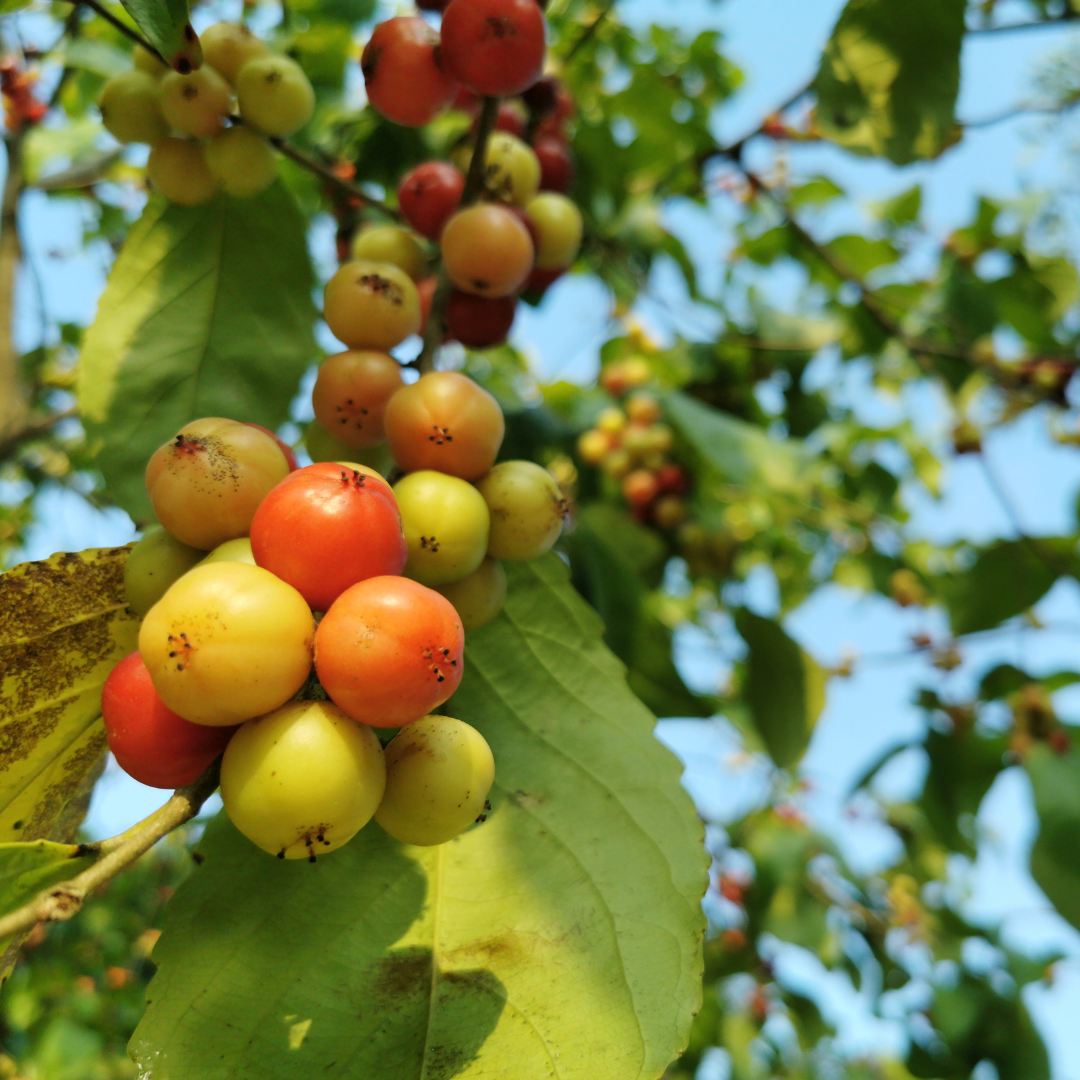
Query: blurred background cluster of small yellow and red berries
point(631, 445)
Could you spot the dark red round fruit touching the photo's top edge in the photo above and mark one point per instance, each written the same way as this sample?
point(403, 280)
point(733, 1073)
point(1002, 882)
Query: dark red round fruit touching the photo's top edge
point(494, 47)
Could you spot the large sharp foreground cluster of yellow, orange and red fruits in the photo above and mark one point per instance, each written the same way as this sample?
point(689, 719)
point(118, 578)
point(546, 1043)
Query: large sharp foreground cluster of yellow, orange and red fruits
point(272, 588)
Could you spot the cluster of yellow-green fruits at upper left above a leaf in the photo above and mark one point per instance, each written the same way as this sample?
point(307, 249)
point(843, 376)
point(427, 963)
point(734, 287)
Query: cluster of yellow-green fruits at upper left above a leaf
point(196, 148)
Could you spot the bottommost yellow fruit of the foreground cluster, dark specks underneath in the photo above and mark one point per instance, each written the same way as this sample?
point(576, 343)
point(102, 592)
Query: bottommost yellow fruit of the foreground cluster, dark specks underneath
point(304, 780)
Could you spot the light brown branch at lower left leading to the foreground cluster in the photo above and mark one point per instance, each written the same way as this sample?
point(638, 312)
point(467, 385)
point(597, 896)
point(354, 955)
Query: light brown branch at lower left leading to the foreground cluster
point(63, 901)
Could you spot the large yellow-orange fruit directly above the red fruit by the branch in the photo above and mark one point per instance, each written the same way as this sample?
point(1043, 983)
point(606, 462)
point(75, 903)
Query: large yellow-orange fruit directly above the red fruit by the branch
point(226, 643)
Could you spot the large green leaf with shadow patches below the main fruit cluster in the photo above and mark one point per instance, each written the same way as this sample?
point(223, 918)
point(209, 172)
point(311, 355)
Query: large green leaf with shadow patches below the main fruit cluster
point(568, 926)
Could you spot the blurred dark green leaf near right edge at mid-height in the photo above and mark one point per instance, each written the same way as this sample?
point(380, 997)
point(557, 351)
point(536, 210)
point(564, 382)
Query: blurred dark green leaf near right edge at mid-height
point(1006, 580)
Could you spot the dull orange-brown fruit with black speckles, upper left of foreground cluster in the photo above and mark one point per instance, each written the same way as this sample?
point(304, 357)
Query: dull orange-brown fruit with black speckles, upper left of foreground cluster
point(208, 481)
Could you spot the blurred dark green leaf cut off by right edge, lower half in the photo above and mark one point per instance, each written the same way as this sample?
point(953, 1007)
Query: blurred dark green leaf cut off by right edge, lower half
point(1056, 858)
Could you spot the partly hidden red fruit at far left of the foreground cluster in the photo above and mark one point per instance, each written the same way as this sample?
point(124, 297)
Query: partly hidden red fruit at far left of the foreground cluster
point(151, 742)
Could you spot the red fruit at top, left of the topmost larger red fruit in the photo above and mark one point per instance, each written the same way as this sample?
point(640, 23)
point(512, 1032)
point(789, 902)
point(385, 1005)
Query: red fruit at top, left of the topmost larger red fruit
point(404, 74)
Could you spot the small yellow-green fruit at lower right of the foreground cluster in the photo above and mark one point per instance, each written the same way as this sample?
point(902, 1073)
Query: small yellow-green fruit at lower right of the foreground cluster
point(439, 775)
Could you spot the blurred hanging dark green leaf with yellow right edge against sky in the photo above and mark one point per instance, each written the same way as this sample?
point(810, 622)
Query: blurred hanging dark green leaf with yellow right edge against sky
point(786, 688)
